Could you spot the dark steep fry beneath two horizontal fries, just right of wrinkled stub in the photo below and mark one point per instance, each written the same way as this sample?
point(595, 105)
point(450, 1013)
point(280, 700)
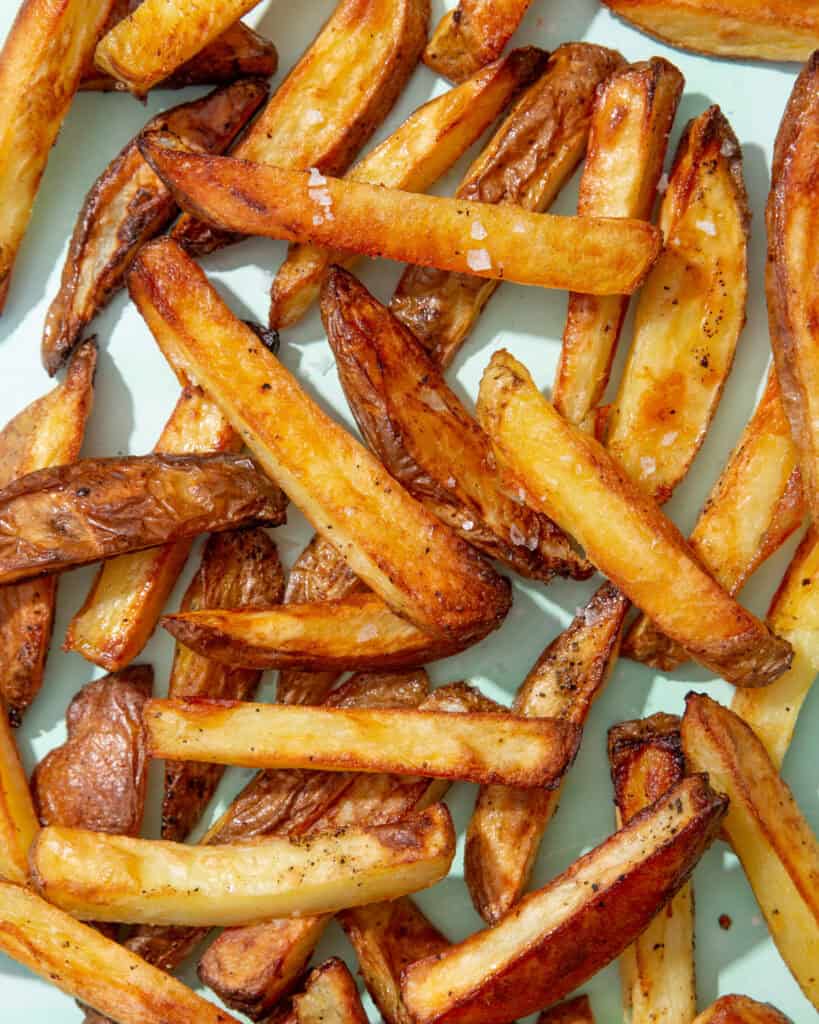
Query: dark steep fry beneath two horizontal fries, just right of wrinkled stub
point(240, 569)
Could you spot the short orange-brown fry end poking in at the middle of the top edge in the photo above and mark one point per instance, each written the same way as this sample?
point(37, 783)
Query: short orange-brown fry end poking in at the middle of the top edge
point(472, 35)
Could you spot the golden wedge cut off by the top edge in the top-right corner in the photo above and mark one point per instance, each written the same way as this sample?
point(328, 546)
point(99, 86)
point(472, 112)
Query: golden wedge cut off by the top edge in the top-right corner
point(777, 30)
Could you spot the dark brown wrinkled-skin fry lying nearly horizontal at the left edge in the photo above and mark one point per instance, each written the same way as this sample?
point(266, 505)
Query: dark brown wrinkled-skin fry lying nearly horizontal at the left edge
point(71, 516)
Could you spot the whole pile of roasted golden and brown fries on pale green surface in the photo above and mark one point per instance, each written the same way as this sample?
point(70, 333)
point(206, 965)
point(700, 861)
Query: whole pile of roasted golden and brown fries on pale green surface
point(419, 526)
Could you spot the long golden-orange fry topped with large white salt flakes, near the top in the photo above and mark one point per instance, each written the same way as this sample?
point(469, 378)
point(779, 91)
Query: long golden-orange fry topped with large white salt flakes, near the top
point(599, 255)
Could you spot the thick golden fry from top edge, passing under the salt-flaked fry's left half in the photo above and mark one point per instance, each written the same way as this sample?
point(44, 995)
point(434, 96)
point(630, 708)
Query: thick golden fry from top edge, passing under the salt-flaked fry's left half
point(333, 101)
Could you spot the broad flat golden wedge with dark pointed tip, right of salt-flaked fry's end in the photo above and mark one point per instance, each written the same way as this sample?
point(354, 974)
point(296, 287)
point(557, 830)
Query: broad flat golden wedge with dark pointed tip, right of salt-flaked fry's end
point(692, 310)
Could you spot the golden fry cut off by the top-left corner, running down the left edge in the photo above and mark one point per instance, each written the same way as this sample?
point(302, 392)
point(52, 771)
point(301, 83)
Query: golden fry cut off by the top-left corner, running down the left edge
point(40, 68)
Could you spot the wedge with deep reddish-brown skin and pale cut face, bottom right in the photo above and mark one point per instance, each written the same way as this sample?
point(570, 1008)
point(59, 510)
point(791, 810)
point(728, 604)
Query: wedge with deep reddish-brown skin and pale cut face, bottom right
point(565, 933)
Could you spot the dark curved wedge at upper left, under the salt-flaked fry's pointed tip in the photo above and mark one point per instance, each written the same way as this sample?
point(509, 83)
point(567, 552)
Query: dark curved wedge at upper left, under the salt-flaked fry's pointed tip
point(127, 206)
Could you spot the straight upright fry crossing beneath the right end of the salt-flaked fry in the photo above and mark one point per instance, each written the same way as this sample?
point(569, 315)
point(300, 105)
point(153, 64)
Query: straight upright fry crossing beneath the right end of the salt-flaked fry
point(633, 115)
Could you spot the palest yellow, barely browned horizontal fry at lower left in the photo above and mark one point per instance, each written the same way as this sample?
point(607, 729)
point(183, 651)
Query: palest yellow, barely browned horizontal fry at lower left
point(157, 883)
